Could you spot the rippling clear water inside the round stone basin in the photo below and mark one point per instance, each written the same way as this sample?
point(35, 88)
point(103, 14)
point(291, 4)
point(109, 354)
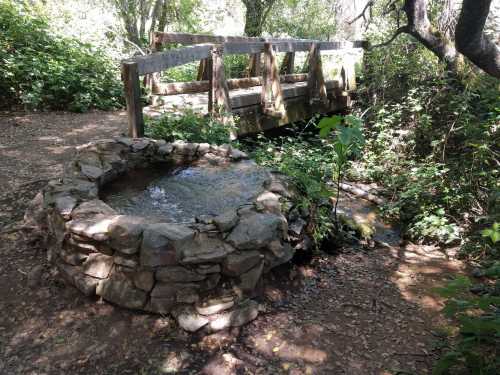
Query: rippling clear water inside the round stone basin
point(180, 196)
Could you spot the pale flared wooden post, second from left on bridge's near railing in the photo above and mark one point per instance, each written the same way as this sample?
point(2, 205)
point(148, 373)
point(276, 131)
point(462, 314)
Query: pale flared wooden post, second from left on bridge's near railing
point(219, 91)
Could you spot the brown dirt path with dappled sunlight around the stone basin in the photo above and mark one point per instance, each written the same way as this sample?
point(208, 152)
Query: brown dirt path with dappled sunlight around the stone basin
point(364, 311)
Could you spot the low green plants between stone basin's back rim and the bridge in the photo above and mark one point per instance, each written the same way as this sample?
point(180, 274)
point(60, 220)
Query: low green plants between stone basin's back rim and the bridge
point(188, 126)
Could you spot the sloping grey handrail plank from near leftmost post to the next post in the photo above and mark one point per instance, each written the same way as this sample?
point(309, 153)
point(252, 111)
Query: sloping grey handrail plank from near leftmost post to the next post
point(163, 60)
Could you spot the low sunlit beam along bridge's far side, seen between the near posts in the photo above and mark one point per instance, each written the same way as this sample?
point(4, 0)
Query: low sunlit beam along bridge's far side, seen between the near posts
point(193, 87)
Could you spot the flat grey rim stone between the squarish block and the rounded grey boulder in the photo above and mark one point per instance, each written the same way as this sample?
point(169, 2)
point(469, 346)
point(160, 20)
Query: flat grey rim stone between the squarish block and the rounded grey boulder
point(203, 249)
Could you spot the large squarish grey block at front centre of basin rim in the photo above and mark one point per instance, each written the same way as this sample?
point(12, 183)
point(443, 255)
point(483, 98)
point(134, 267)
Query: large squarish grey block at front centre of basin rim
point(160, 241)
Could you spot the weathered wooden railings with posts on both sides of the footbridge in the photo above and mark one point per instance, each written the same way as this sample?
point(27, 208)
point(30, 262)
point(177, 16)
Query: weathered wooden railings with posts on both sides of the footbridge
point(209, 50)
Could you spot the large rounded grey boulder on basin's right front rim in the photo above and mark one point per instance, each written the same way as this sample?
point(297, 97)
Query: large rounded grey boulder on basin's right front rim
point(256, 231)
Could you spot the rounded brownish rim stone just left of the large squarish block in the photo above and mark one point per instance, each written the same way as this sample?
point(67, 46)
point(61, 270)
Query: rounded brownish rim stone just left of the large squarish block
point(125, 233)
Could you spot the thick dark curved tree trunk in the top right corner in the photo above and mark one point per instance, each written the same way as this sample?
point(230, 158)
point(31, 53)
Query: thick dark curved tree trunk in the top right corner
point(470, 39)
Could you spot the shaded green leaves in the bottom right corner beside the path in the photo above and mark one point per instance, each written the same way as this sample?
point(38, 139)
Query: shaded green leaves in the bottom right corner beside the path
point(477, 344)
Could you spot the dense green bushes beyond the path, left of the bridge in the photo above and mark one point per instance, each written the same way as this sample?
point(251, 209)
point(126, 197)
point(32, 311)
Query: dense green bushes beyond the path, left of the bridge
point(42, 70)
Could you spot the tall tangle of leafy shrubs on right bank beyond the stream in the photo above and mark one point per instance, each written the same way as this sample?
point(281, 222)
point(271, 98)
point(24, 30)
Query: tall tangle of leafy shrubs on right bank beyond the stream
point(431, 141)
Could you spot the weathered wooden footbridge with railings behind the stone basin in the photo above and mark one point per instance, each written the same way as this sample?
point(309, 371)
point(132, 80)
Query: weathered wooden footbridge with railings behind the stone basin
point(270, 96)
